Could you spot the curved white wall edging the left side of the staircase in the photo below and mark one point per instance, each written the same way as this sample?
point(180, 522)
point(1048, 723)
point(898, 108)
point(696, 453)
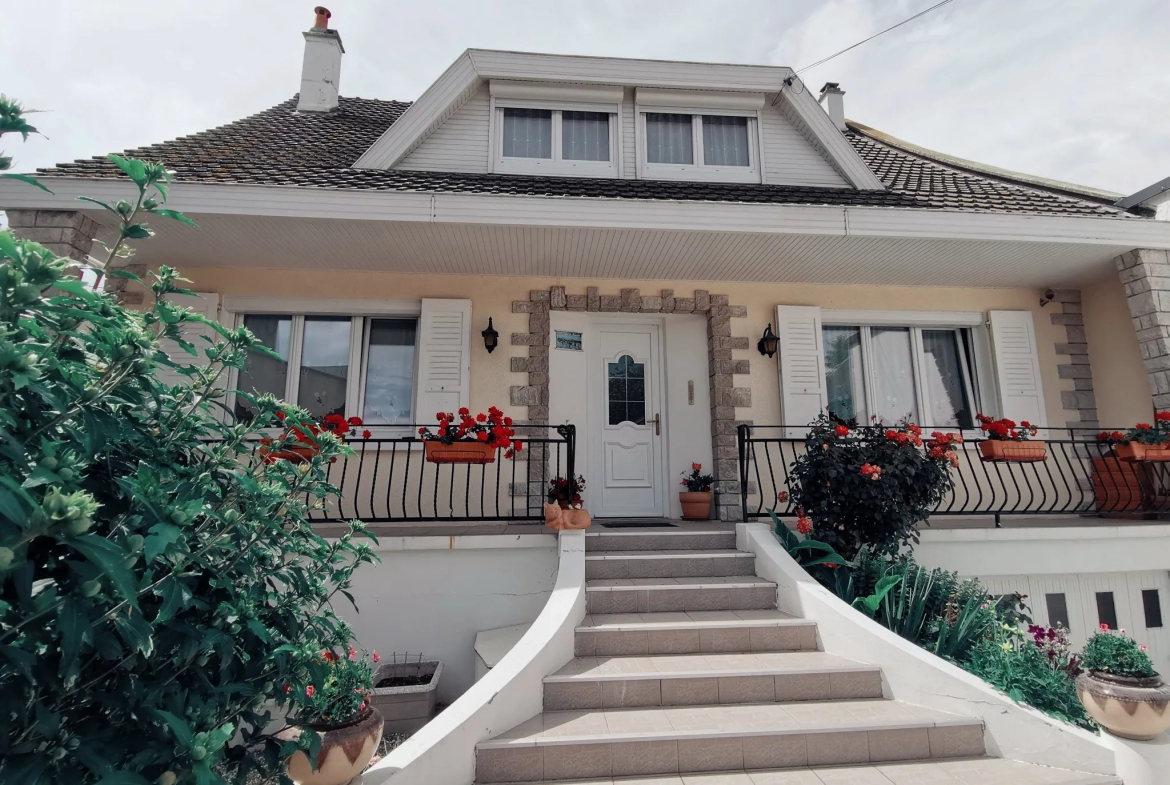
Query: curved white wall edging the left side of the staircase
point(444, 750)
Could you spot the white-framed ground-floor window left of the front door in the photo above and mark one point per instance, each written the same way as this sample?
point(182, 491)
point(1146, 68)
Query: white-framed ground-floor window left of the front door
point(334, 366)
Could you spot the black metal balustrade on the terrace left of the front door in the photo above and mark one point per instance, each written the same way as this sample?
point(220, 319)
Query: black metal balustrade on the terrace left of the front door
point(390, 481)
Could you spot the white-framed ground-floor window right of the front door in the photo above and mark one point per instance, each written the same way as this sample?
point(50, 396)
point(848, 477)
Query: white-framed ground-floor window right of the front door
point(917, 374)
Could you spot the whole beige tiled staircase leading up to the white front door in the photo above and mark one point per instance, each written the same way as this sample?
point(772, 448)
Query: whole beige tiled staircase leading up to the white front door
point(686, 673)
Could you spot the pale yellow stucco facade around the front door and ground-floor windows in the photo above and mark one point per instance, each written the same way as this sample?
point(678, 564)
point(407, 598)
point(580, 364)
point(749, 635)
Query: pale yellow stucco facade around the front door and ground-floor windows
point(493, 297)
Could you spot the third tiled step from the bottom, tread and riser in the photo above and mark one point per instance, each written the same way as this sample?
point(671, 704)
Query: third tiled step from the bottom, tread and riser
point(708, 679)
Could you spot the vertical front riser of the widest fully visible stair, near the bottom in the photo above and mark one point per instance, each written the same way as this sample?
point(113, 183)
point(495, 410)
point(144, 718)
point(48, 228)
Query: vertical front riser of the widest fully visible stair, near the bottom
point(527, 765)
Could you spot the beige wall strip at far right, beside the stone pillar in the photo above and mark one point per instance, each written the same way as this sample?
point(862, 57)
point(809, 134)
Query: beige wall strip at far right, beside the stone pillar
point(1119, 378)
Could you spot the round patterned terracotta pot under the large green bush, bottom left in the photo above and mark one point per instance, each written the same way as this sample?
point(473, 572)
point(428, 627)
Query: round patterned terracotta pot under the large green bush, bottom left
point(346, 750)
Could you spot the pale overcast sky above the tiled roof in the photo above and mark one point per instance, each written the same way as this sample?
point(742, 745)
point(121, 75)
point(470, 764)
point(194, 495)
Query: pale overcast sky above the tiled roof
point(1071, 89)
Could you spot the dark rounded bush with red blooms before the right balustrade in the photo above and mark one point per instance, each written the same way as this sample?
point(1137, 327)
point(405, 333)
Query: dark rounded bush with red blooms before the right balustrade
point(870, 485)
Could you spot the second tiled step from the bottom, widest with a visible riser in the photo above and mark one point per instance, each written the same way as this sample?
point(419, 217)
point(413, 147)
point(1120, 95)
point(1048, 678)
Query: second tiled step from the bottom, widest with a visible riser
point(630, 742)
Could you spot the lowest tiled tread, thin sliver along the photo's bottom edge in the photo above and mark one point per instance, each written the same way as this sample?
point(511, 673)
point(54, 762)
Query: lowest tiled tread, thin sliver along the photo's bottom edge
point(973, 772)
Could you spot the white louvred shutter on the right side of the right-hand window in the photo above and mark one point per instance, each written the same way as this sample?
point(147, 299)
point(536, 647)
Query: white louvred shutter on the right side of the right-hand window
point(1017, 367)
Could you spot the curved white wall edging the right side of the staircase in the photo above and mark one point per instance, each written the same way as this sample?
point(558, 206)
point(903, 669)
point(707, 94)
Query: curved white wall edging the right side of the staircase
point(918, 677)
